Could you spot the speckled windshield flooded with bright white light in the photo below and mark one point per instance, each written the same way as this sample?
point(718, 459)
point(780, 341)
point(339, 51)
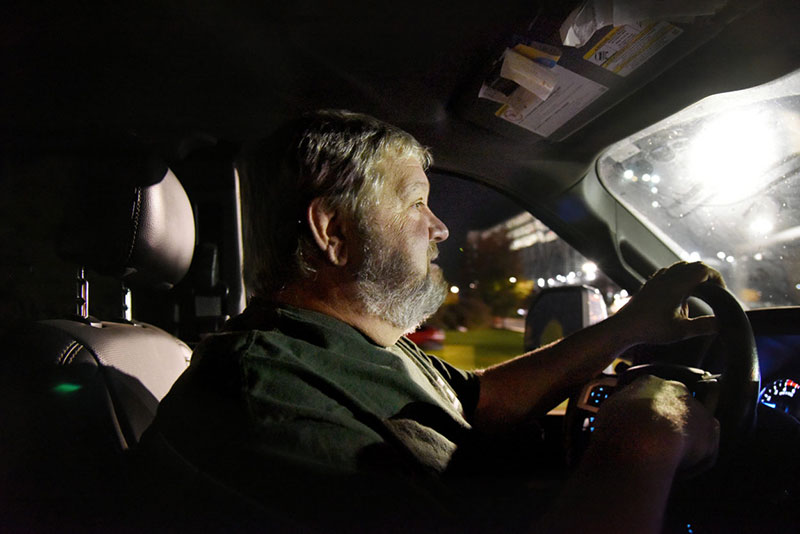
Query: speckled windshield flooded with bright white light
point(719, 182)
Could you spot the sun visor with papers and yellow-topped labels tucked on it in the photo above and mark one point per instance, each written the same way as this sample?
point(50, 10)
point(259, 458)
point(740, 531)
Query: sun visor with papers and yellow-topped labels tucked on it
point(539, 89)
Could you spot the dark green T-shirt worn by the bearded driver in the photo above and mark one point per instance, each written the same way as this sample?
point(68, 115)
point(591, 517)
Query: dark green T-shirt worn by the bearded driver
point(314, 423)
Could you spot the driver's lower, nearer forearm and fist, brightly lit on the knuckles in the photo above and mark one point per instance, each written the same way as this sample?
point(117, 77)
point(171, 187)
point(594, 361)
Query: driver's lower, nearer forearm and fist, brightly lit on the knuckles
point(645, 434)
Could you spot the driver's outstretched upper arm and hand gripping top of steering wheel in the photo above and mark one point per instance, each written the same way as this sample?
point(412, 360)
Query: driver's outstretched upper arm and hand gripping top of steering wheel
point(534, 382)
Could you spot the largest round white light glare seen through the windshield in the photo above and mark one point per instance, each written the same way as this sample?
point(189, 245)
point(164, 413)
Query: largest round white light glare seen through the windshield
point(731, 153)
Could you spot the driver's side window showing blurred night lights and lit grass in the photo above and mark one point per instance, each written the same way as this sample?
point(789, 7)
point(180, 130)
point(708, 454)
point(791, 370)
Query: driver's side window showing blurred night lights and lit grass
point(497, 260)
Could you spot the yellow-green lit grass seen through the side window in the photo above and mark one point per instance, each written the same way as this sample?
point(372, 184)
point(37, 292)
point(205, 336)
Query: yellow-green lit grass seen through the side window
point(476, 349)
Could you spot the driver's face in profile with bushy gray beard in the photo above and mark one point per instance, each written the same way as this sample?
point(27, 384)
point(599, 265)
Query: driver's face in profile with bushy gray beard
point(397, 280)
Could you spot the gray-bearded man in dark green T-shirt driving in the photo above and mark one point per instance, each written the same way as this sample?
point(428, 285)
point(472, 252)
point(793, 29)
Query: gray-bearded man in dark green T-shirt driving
point(315, 411)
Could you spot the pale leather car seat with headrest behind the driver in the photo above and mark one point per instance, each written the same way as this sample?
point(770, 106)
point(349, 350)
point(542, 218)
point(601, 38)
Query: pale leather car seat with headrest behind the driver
point(77, 393)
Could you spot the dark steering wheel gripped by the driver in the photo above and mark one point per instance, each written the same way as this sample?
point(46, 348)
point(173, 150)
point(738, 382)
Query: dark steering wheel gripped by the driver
point(732, 396)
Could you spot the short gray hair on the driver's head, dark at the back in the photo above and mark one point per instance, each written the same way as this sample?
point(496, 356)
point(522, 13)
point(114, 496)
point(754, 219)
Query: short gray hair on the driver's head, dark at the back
point(342, 157)
